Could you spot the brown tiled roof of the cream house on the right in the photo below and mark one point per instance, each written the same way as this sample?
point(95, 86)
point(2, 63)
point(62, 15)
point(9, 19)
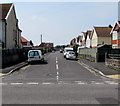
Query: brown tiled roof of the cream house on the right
point(103, 31)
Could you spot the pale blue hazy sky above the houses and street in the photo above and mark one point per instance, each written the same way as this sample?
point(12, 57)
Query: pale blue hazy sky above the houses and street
point(60, 22)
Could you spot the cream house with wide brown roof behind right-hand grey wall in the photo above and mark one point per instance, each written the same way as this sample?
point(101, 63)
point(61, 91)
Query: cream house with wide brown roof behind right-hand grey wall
point(100, 36)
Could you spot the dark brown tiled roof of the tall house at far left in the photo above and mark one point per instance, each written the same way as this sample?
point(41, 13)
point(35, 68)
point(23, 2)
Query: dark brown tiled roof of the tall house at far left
point(5, 9)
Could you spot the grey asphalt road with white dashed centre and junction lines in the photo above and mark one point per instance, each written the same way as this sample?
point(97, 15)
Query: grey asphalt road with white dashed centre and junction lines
point(59, 81)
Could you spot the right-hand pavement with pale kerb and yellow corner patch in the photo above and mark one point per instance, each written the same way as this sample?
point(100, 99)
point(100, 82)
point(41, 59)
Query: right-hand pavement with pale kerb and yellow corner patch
point(100, 68)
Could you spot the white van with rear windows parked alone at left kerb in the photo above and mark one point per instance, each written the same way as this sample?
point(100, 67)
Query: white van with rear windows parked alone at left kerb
point(35, 55)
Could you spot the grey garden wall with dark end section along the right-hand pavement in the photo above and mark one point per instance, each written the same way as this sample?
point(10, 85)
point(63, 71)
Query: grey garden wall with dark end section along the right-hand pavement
point(97, 54)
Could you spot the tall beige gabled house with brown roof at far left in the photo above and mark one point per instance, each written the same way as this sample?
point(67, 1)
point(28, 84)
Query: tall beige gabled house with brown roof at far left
point(9, 29)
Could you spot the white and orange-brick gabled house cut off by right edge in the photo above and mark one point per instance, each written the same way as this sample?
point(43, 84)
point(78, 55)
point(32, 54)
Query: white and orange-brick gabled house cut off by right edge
point(115, 32)
